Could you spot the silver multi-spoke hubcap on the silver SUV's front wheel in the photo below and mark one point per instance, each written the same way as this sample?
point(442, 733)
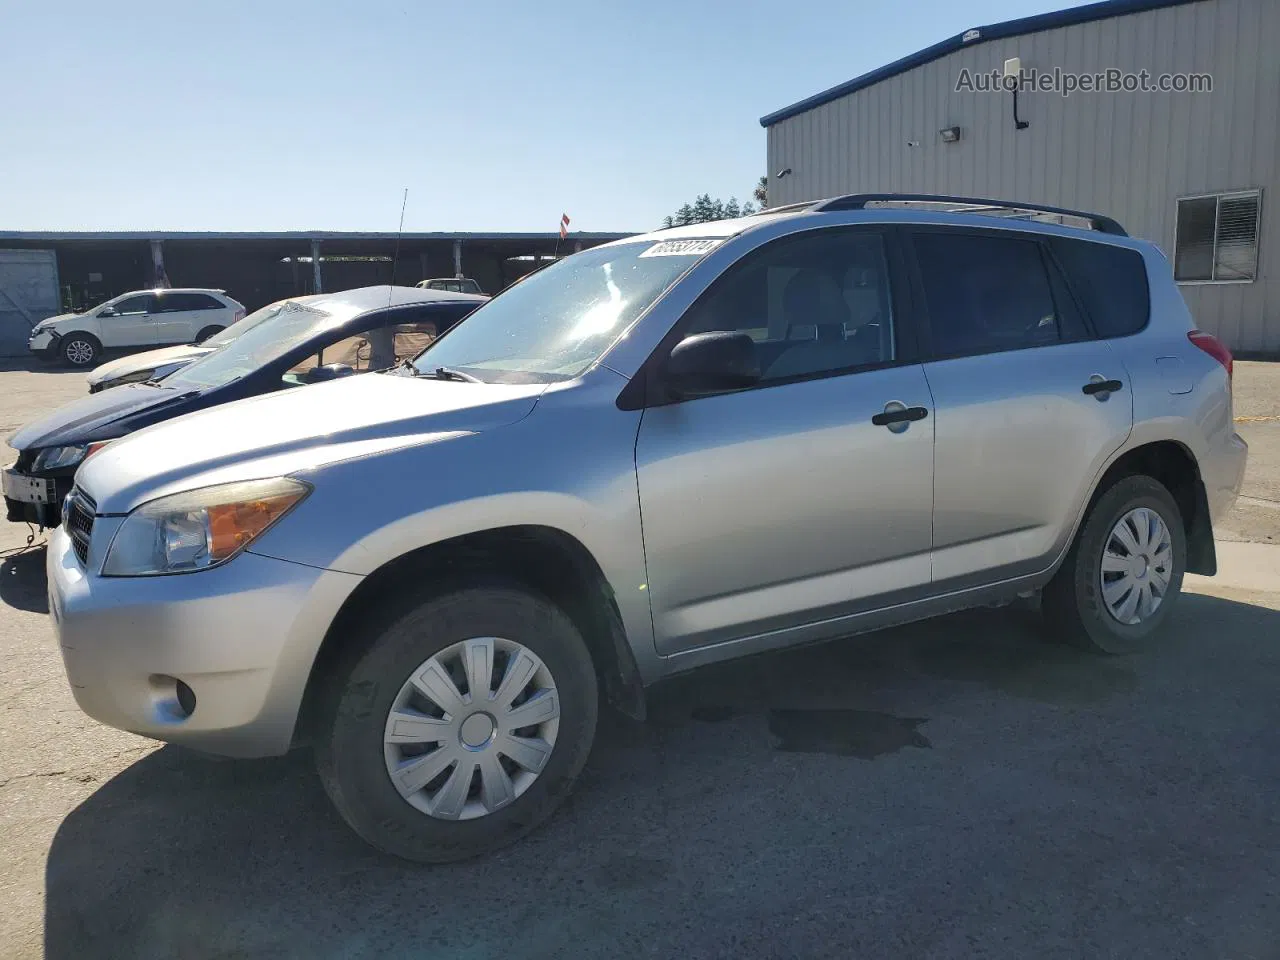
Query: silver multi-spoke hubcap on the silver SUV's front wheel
point(472, 729)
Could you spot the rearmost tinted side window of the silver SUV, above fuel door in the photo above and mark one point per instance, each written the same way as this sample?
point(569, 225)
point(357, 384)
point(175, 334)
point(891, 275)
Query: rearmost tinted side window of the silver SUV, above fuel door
point(1110, 281)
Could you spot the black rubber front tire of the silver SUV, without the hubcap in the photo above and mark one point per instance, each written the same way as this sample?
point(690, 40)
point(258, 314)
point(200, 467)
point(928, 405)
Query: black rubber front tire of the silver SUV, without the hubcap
point(350, 739)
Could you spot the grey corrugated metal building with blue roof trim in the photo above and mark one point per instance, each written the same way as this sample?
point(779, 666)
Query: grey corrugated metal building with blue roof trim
point(1191, 171)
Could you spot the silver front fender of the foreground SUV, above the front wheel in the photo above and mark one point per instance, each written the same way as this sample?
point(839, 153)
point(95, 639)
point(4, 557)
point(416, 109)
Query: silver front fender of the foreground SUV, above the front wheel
point(570, 467)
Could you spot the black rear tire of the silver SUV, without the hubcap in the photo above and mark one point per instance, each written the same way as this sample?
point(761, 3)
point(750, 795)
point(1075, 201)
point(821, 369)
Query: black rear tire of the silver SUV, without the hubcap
point(1073, 605)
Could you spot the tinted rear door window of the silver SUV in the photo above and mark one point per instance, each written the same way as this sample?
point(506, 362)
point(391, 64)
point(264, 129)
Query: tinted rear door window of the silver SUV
point(985, 294)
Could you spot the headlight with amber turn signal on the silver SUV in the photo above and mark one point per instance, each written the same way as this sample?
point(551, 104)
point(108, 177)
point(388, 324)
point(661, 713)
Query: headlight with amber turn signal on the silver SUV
point(199, 529)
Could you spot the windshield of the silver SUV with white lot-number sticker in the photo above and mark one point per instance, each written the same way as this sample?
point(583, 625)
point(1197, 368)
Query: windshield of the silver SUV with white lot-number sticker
point(556, 323)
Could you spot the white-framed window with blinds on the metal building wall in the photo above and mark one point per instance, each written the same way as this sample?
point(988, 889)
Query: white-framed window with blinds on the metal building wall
point(1218, 237)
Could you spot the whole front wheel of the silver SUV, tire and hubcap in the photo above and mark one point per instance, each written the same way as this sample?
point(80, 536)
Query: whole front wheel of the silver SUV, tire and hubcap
point(463, 728)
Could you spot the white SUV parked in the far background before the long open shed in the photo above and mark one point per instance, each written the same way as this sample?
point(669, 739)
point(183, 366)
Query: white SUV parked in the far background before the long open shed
point(138, 319)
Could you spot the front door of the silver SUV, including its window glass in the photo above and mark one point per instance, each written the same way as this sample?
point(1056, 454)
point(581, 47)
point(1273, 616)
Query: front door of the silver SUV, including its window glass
point(787, 508)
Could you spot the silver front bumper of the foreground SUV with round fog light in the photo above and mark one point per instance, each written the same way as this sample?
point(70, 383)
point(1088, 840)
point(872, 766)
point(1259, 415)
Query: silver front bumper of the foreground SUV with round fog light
point(243, 638)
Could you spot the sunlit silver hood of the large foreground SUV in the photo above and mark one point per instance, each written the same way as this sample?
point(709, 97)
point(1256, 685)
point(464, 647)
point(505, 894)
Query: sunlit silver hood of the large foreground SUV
point(295, 431)
